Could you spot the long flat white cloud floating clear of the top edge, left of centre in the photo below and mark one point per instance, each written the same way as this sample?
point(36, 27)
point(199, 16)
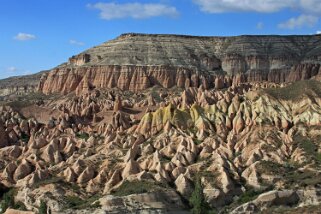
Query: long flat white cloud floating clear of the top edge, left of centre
point(111, 11)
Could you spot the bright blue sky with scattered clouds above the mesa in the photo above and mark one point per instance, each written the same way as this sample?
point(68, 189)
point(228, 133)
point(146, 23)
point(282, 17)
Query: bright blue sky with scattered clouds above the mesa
point(40, 34)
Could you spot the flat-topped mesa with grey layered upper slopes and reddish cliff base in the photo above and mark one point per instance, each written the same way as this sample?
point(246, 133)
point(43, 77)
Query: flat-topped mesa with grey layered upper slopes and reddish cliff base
point(138, 61)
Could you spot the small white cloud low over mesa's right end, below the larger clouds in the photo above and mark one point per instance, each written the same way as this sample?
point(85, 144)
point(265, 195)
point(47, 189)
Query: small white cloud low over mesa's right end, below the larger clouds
point(299, 22)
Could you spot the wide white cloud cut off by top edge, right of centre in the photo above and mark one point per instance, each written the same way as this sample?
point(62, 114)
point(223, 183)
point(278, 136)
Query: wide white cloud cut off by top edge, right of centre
point(262, 6)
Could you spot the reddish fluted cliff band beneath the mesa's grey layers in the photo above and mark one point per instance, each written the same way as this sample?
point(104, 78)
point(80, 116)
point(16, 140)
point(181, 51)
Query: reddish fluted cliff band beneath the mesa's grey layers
point(136, 78)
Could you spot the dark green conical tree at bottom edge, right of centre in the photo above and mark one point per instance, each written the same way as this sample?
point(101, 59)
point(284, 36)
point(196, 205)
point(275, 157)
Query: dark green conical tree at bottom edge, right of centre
point(197, 199)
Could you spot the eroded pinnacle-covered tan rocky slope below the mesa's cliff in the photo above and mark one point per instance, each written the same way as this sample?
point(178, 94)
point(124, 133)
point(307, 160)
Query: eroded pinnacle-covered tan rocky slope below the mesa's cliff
point(253, 147)
